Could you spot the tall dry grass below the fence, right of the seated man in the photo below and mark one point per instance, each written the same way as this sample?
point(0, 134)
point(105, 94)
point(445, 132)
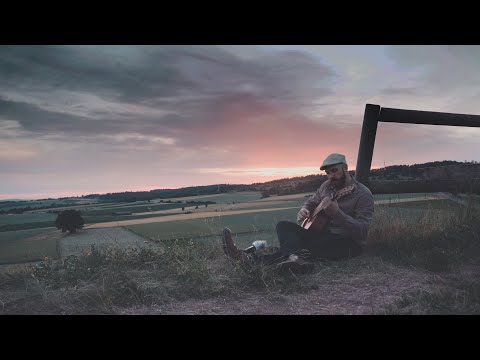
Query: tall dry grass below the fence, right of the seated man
point(437, 240)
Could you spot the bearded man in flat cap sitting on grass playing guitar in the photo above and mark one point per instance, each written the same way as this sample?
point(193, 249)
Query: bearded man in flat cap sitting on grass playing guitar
point(344, 236)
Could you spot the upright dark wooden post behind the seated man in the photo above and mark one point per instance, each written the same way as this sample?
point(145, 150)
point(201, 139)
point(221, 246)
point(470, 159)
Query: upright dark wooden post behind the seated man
point(367, 142)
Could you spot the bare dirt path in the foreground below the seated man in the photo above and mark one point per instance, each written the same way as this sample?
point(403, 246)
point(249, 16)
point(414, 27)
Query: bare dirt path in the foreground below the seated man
point(370, 291)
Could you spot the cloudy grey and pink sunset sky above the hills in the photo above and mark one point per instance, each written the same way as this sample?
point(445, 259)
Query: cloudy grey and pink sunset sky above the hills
point(76, 120)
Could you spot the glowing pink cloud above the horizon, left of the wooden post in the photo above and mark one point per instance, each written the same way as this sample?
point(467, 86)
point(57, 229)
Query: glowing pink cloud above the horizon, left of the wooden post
point(261, 135)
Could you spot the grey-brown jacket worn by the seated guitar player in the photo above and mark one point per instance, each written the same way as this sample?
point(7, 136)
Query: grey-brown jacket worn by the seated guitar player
point(355, 211)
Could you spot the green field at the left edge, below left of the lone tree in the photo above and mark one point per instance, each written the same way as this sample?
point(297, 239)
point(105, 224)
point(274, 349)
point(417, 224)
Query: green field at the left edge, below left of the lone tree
point(15, 246)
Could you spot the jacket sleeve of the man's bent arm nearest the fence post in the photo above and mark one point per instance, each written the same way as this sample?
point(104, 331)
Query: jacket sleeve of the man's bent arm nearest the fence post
point(359, 223)
